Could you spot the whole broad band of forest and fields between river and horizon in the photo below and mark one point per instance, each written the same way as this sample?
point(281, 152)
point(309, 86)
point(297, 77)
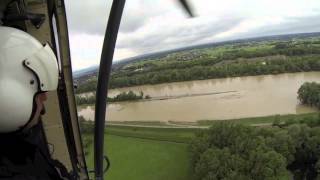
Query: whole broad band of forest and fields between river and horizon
point(218, 62)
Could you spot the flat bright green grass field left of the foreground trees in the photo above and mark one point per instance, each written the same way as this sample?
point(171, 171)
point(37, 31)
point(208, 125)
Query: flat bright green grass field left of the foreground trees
point(138, 159)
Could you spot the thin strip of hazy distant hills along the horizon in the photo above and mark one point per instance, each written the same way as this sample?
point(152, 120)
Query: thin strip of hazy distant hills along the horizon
point(94, 69)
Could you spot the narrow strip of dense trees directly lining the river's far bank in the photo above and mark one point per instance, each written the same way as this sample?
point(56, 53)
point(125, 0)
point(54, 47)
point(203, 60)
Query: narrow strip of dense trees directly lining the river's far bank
point(296, 64)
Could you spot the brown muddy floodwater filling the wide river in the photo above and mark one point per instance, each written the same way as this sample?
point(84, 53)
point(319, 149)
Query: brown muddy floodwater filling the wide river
point(213, 99)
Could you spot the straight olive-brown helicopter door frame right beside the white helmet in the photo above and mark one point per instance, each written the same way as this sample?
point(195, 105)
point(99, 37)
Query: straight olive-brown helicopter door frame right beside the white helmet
point(68, 109)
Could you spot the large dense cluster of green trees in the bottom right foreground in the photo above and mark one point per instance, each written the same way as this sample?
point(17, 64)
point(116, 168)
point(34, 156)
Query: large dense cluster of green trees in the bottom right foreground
point(234, 151)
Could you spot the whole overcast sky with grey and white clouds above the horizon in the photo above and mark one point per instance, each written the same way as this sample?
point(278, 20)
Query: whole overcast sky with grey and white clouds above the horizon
point(156, 25)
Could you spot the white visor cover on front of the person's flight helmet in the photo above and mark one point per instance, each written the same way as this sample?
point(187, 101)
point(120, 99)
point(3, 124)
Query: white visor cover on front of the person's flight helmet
point(44, 64)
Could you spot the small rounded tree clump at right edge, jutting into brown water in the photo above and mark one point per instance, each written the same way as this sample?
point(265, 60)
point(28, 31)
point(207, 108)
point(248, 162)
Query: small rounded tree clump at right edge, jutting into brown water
point(309, 93)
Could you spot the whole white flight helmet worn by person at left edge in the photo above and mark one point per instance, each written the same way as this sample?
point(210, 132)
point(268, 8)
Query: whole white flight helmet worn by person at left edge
point(26, 68)
